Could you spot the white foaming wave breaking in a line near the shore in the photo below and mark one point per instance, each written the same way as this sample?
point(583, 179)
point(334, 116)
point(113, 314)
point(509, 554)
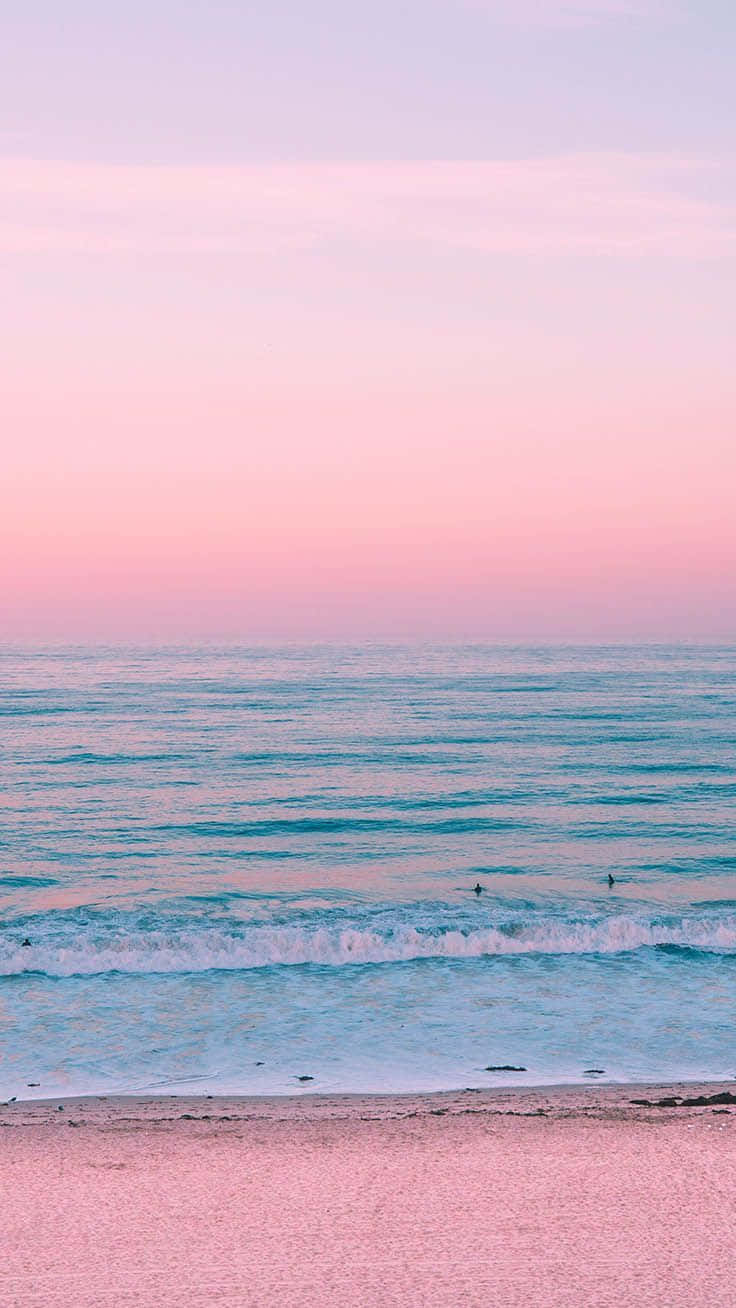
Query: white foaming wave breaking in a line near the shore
point(194, 950)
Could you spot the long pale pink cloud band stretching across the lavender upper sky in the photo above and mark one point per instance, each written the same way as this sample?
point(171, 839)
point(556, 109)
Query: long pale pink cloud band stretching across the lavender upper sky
point(590, 205)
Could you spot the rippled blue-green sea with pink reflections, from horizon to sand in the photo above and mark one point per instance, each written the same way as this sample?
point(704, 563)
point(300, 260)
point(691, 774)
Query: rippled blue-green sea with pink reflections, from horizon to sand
point(239, 868)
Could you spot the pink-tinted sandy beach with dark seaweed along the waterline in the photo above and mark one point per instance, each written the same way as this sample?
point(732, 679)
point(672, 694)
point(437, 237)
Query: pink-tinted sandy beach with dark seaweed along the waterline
point(544, 1199)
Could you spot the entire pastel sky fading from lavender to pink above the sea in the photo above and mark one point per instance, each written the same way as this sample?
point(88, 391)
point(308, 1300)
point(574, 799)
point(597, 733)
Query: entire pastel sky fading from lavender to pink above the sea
point(327, 321)
